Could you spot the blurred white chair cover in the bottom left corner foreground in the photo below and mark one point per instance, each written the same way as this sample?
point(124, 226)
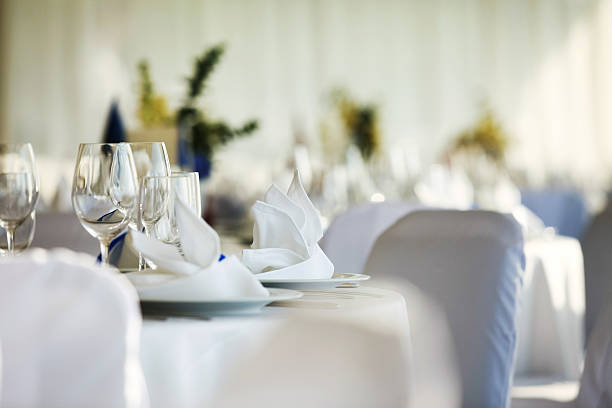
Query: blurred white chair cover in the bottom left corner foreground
point(70, 333)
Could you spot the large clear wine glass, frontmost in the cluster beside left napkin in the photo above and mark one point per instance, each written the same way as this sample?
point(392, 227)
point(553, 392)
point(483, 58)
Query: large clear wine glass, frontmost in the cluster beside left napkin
point(105, 190)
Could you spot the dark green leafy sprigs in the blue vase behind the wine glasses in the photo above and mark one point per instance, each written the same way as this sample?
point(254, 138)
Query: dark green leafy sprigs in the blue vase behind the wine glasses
point(207, 134)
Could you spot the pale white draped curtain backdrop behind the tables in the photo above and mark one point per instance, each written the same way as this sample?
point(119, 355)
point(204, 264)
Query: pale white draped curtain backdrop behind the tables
point(544, 66)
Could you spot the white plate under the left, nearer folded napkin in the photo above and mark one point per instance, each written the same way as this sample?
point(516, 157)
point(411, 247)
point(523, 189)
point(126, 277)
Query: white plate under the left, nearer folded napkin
point(225, 307)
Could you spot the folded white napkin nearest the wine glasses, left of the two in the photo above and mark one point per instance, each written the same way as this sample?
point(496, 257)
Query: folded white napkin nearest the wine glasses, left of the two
point(201, 274)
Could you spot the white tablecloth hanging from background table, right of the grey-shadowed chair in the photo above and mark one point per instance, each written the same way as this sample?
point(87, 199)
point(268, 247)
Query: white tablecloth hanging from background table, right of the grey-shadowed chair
point(551, 322)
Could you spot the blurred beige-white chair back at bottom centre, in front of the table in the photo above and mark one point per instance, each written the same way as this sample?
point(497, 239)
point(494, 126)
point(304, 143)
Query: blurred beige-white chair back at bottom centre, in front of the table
point(322, 363)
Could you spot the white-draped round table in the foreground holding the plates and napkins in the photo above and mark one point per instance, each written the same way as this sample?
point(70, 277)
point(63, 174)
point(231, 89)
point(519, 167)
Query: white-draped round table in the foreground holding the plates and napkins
point(185, 359)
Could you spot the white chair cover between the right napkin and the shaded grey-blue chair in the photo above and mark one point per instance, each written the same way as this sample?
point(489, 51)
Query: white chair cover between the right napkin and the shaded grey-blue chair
point(350, 237)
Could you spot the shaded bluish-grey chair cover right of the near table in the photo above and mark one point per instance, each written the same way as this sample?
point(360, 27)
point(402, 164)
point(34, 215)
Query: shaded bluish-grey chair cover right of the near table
point(471, 263)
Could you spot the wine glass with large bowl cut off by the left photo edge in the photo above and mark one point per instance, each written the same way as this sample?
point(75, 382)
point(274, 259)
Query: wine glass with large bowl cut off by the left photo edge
point(18, 188)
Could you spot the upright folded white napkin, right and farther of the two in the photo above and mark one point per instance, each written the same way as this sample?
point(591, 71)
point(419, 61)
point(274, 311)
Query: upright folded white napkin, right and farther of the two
point(286, 235)
